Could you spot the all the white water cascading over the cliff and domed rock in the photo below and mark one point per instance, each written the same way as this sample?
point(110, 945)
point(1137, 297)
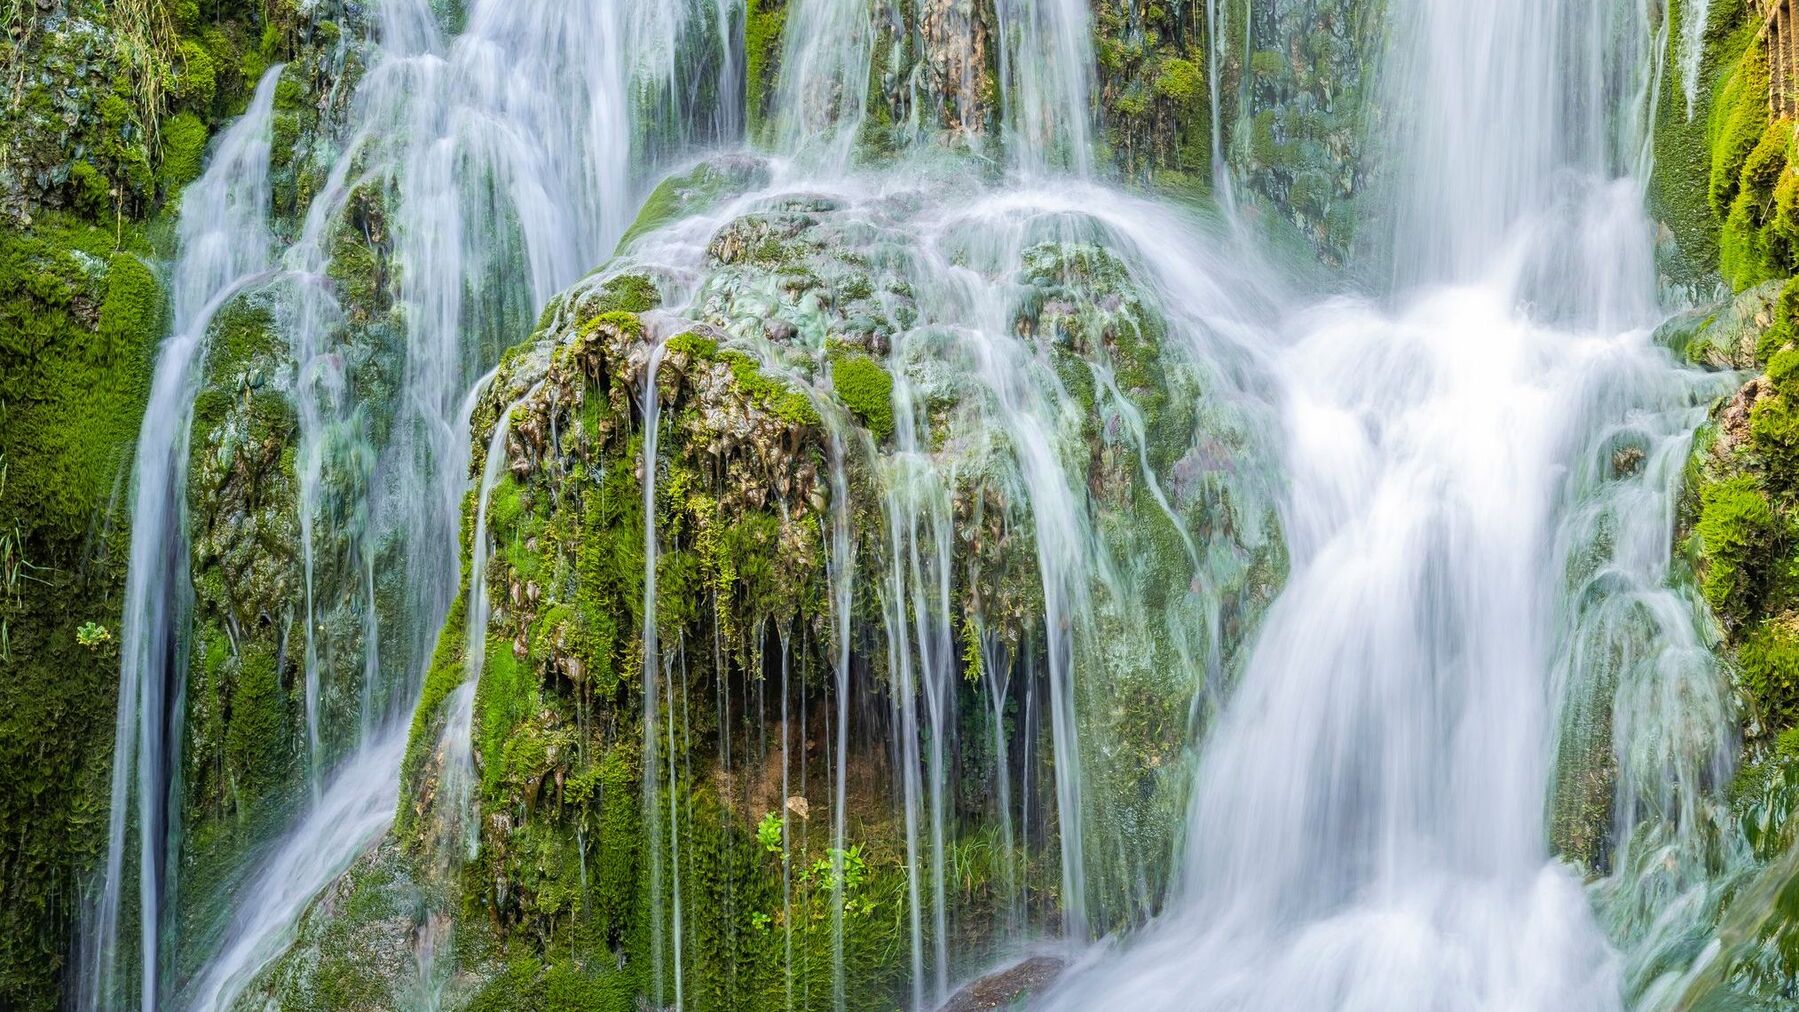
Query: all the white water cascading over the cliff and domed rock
point(1467, 472)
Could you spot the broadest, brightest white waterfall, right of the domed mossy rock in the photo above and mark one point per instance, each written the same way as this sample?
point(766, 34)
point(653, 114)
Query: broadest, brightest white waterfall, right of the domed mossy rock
point(1368, 828)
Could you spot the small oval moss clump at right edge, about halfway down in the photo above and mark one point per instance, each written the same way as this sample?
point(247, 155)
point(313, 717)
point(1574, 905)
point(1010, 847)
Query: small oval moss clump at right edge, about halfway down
point(1739, 537)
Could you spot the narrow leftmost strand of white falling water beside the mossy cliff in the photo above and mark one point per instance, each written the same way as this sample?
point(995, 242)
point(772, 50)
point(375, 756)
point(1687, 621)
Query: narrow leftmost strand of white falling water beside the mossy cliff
point(224, 249)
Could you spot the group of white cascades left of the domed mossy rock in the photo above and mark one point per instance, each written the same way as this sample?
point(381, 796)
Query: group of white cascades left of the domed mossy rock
point(501, 199)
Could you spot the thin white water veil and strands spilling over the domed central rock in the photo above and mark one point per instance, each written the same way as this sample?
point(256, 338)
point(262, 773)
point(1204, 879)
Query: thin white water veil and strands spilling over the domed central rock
point(1023, 425)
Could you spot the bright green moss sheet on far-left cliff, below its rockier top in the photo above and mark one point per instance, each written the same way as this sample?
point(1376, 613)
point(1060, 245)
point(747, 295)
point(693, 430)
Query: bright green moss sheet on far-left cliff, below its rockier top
point(78, 323)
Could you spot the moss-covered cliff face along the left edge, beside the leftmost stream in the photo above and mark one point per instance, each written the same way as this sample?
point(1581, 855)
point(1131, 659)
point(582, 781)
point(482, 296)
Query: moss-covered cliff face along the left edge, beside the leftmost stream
point(109, 114)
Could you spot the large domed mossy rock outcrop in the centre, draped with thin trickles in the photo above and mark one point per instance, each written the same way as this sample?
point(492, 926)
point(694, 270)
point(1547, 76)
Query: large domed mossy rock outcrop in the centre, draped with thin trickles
point(796, 389)
